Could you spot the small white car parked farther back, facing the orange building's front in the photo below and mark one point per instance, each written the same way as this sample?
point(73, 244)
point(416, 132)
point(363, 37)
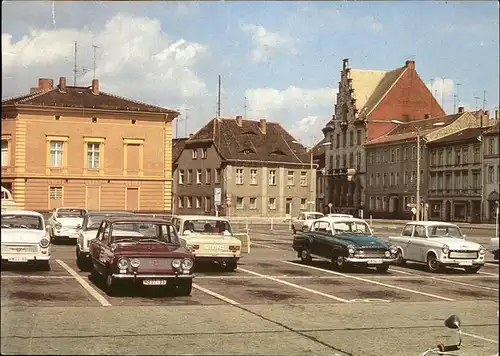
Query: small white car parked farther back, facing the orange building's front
point(65, 222)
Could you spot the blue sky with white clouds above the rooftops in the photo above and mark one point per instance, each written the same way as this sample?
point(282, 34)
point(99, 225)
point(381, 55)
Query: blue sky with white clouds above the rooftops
point(279, 61)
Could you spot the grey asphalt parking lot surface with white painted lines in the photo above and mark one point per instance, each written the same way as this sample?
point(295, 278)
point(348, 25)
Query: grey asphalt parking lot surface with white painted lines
point(272, 305)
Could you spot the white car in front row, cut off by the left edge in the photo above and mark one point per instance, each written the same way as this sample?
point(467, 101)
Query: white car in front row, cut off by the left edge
point(24, 238)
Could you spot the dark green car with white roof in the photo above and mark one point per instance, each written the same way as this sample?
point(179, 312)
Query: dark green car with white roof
point(344, 241)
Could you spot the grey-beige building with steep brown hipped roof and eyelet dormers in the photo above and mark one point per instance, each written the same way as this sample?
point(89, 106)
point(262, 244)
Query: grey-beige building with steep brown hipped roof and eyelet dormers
point(243, 168)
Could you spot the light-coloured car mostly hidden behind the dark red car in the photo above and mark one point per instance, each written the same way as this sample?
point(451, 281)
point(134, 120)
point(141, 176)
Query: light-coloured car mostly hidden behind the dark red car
point(88, 231)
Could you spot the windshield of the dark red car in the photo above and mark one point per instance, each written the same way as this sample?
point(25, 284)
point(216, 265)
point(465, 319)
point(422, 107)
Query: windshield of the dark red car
point(144, 232)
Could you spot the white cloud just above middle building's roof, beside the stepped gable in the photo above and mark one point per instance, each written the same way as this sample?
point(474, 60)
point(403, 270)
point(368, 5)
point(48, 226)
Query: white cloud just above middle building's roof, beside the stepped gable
point(303, 111)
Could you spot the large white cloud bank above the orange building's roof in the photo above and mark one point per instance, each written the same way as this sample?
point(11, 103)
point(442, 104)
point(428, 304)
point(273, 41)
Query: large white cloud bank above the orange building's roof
point(135, 59)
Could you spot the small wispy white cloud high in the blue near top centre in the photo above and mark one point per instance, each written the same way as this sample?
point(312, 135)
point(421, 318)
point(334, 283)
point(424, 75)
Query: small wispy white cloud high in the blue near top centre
point(264, 42)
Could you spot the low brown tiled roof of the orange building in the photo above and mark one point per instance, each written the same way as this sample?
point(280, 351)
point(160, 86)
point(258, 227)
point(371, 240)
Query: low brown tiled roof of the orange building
point(82, 97)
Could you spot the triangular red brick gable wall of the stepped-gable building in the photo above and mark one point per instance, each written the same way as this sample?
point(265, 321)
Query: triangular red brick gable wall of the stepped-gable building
point(409, 97)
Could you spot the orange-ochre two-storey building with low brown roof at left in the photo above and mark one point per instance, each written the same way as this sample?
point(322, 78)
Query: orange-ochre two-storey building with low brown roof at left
point(79, 146)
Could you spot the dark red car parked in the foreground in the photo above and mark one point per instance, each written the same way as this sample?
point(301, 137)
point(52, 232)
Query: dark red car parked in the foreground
point(137, 250)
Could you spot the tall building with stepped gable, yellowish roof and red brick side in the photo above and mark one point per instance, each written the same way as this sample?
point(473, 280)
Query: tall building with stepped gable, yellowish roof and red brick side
point(367, 101)
